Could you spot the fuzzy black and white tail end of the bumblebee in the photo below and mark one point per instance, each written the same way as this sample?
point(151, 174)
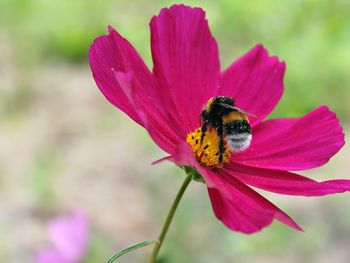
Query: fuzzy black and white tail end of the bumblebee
point(238, 134)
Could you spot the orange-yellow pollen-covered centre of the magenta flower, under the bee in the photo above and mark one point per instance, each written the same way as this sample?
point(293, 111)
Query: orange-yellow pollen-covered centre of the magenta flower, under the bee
point(207, 152)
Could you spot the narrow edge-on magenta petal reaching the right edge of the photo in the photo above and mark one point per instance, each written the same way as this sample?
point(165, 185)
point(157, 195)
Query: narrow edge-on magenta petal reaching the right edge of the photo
point(283, 182)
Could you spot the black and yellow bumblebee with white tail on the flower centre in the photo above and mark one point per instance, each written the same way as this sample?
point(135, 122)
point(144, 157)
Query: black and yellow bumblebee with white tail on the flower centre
point(231, 124)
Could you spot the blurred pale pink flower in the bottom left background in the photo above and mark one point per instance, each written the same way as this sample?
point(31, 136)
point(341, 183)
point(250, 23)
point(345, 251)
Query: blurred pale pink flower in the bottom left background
point(69, 236)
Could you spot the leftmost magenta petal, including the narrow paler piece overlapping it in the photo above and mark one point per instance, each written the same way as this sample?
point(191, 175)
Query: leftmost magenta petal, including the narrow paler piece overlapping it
point(127, 83)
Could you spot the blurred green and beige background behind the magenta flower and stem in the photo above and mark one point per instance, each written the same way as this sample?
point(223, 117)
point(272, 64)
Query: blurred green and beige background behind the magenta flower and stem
point(62, 145)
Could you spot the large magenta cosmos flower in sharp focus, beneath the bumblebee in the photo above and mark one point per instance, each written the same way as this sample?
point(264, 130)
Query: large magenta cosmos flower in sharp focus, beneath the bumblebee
point(168, 102)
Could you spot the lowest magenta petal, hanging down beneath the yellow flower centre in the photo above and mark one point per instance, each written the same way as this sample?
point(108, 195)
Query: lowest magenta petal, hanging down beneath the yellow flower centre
point(242, 209)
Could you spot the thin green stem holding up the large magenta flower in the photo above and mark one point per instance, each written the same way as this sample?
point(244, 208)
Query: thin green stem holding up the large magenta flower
point(169, 218)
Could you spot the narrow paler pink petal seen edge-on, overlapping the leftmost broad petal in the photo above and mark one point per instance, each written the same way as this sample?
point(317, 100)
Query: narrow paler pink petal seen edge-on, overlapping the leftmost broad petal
point(158, 126)
